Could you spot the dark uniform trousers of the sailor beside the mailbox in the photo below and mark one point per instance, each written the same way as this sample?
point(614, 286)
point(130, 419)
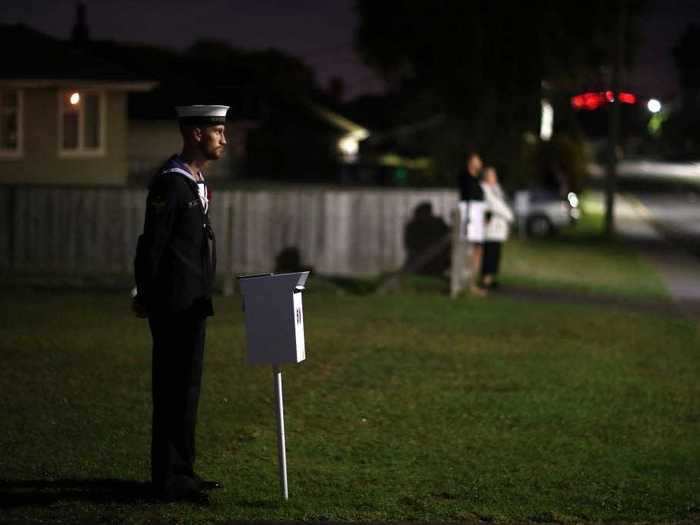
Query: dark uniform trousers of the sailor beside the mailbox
point(178, 351)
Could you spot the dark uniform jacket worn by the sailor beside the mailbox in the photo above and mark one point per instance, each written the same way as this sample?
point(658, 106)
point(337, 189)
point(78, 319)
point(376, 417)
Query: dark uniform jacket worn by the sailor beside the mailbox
point(175, 260)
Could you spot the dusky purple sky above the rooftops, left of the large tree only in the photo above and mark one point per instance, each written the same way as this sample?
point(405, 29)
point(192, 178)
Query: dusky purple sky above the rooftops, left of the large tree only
point(318, 31)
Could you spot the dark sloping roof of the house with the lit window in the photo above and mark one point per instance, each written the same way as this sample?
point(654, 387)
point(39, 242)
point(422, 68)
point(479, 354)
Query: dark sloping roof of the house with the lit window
point(44, 60)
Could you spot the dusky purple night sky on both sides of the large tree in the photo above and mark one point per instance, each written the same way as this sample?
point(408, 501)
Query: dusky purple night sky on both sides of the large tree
point(318, 31)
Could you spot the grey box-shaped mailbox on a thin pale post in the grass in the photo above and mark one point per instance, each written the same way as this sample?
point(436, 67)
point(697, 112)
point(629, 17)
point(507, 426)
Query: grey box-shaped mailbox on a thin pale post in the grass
point(274, 322)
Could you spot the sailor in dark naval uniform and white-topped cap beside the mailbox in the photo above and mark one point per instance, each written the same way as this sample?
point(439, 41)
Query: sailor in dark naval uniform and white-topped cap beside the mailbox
point(174, 268)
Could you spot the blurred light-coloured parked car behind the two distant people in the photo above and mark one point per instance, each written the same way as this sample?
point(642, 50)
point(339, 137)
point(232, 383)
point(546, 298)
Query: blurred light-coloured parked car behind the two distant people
point(541, 212)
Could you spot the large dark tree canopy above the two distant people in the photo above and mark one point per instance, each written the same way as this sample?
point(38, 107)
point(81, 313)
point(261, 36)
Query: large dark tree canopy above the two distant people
point(484, 63)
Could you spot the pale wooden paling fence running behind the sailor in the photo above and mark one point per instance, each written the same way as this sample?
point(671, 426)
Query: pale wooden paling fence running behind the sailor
point(93, 231)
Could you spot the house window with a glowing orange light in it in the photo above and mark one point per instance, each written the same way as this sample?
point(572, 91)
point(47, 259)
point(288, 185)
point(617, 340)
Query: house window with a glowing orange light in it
point(82, 120)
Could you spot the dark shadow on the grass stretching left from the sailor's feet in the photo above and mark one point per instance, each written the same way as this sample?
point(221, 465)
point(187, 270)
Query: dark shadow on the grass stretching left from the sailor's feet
point(19, 493)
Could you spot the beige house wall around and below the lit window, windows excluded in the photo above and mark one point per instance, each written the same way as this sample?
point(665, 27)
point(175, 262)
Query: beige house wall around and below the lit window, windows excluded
point(41, 162)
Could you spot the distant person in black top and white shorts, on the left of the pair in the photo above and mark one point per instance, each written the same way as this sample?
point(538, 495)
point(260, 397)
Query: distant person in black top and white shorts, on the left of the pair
point(472, 213)
